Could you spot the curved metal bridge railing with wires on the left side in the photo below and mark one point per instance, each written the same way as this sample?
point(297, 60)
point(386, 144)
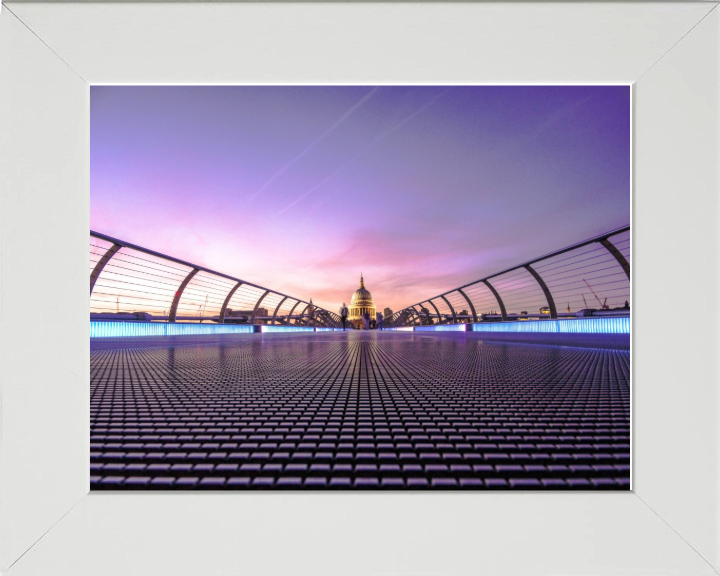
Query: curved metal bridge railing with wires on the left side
point(131, 281)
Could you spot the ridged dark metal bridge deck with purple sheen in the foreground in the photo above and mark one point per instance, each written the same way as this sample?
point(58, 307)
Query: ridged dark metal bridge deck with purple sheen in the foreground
point(357, 410)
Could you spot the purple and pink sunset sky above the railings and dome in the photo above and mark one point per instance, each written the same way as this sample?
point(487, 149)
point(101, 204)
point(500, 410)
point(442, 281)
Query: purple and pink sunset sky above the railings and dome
point(299, 189)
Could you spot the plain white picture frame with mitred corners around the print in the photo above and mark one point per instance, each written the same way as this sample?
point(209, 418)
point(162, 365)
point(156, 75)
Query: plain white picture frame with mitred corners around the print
point(50, 53)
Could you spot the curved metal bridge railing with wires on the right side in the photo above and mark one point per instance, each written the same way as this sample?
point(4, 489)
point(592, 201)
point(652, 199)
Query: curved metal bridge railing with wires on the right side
point(591, 277)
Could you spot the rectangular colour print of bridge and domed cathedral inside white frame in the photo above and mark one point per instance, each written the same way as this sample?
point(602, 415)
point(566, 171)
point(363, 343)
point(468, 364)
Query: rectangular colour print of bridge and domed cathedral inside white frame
point(360, 288)
